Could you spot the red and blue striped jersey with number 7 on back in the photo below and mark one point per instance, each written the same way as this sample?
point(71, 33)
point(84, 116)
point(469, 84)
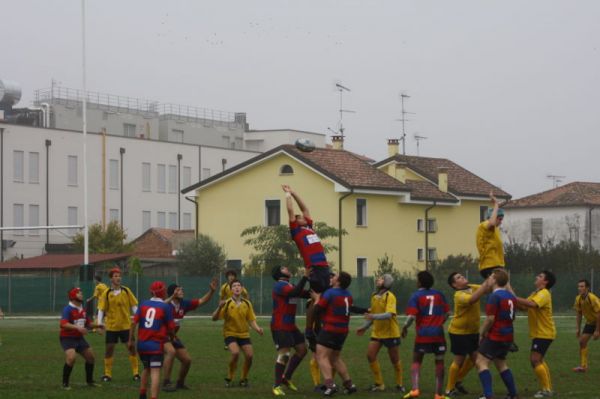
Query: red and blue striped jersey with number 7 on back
point(430, 309)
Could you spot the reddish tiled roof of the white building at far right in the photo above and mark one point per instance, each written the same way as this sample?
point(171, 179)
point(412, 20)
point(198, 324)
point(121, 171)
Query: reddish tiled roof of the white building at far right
point(572, 194)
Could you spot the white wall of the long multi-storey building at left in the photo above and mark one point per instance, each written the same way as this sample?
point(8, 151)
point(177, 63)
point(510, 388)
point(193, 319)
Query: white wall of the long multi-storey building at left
point(63, 195)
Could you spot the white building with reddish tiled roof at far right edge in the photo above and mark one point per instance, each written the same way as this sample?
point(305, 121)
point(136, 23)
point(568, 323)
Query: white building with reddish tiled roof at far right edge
point(566, 213)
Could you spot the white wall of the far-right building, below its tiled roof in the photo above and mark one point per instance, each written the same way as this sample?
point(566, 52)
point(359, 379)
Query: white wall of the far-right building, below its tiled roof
point(559, 224)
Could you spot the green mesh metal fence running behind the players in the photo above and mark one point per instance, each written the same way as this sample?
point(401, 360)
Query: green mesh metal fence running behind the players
point(48, 294)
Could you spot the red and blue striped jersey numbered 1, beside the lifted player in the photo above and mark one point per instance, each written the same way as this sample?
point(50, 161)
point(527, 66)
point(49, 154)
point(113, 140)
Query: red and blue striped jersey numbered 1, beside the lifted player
point(337, 303)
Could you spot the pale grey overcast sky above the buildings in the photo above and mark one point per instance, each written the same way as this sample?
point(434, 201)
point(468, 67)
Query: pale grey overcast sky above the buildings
point(508, 89)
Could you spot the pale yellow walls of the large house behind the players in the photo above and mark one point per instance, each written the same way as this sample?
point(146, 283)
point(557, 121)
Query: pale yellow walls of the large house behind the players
point(391, 225)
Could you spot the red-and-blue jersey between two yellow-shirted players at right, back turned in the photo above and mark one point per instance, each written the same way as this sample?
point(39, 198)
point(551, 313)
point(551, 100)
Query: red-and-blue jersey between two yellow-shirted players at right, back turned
point(502, 305)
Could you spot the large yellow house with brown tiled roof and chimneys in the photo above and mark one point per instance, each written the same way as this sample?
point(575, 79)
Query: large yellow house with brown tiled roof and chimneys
point(384, 207)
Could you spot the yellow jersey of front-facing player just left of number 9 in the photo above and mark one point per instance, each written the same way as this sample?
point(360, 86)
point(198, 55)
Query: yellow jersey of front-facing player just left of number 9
point(116, 305)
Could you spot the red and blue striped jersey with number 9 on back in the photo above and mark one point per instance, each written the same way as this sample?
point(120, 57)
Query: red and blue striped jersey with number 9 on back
point(155, 319)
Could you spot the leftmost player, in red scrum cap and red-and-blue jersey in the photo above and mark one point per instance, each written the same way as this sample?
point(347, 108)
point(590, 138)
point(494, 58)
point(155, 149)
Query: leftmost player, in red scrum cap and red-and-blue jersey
point(74, 324)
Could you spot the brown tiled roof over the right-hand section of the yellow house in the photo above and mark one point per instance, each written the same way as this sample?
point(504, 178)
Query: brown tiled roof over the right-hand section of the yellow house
point(460, 180)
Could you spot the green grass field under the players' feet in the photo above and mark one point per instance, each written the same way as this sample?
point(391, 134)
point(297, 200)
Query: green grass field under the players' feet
point(31, 362)
